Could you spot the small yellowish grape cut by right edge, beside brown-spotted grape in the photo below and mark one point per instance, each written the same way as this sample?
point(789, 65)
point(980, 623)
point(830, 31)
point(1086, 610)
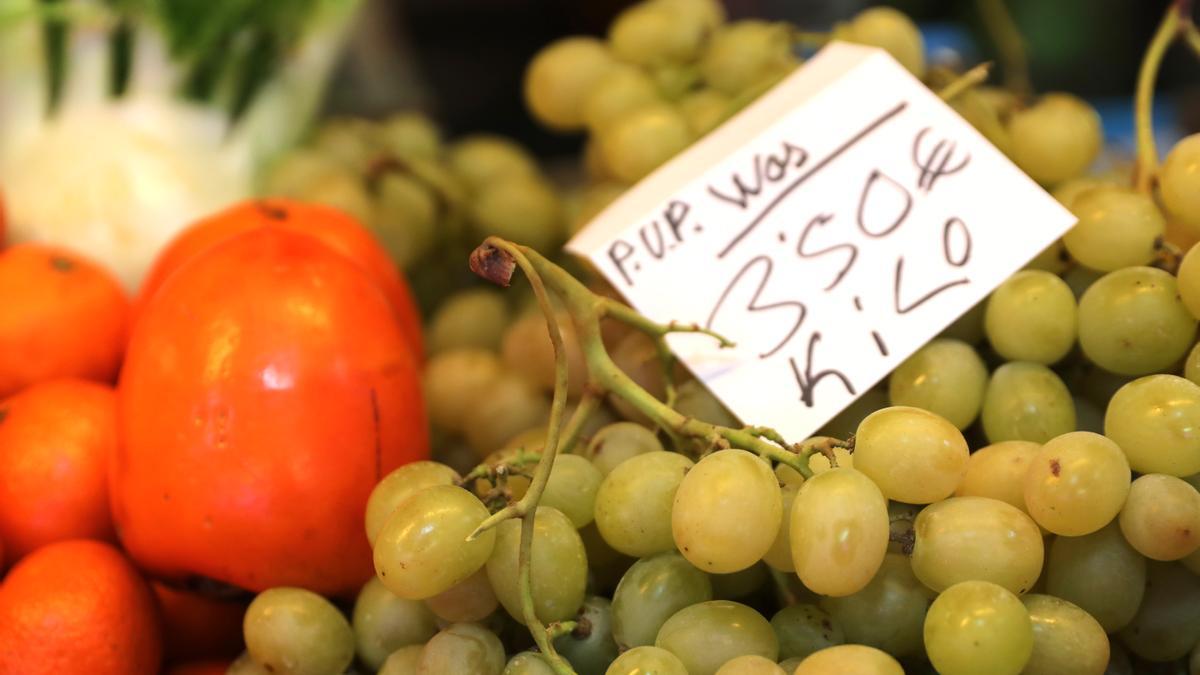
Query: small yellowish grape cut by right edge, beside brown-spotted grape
point(1161, 518)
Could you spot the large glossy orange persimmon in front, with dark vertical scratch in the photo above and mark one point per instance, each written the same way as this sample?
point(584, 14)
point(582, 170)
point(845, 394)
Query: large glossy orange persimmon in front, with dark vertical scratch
point(267, 390)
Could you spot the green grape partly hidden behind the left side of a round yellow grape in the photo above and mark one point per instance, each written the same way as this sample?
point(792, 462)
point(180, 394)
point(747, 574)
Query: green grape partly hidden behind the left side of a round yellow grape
point(635, 500)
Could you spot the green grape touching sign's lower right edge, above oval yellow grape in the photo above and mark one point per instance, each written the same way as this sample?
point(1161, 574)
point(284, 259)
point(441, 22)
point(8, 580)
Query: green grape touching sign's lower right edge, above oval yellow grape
point(946, 378)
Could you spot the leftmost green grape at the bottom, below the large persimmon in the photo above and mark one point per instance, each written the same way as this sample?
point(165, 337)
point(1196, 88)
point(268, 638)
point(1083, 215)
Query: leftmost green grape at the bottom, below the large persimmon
point(297, 632)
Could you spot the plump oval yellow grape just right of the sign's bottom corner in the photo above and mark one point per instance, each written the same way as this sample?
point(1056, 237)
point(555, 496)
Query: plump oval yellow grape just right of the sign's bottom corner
point(914, 456)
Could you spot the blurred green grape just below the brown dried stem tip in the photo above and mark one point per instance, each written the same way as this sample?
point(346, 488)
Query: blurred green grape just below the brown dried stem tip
point(470, 319)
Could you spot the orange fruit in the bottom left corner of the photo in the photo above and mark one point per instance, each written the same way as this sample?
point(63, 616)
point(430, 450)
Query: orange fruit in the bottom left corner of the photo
point(77, 607)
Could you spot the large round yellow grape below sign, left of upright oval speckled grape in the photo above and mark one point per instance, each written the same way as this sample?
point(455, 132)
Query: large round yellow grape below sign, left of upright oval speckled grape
point(727, 512)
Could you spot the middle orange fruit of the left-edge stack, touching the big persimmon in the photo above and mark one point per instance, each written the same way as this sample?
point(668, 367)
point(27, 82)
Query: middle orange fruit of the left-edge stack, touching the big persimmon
point(57, 439)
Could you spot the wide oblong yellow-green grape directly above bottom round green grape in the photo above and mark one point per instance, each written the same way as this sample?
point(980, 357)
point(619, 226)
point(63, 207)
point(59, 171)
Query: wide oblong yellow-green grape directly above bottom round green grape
point(976, 539)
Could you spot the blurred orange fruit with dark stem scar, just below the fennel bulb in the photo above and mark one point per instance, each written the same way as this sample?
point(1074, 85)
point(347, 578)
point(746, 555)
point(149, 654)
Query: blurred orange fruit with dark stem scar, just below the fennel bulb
point(61, 315)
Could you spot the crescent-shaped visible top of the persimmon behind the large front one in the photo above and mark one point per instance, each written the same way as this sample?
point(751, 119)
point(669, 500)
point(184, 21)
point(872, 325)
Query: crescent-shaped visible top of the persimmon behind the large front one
point(333, 228)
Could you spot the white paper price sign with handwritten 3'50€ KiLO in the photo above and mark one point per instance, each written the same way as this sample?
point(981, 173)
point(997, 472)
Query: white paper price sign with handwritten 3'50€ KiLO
point(831, 230)
